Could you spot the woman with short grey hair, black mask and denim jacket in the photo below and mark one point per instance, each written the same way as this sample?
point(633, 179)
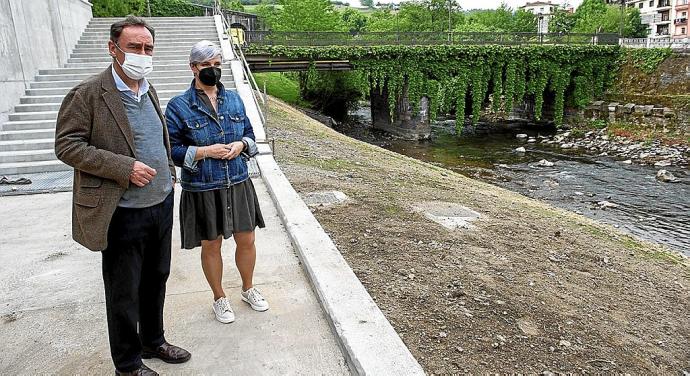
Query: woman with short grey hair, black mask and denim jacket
point(211, 139)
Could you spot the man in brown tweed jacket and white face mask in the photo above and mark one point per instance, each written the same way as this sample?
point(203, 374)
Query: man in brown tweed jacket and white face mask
point(110, 128)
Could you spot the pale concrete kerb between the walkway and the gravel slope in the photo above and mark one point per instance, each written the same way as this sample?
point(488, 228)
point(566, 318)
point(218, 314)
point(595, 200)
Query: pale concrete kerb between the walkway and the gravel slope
point(369, 342)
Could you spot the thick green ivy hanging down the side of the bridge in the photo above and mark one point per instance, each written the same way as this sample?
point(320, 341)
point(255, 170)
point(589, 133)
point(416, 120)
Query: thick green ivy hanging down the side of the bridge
point(460, 77)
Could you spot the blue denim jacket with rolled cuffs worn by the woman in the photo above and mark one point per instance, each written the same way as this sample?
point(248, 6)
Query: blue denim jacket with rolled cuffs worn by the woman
point(191, 125)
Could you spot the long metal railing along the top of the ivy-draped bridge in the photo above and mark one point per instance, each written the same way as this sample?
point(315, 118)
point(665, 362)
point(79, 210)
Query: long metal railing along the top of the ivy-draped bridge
point(290, 38)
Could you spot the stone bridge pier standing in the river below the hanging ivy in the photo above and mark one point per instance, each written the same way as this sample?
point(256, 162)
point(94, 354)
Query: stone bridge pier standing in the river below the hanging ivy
point(404, 124)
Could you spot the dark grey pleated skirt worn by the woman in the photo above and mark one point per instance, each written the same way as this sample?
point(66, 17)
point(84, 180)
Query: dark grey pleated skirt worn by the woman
point(210, 214)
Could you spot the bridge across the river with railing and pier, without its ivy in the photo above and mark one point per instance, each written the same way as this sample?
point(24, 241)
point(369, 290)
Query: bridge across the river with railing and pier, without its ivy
point(268, 51)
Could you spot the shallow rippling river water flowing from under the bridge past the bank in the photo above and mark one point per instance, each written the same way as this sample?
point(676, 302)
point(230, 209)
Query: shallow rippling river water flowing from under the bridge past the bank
point(635, 201)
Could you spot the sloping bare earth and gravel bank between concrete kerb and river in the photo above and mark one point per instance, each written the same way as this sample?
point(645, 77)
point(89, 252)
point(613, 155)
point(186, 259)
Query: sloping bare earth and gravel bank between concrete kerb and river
point(530, 289)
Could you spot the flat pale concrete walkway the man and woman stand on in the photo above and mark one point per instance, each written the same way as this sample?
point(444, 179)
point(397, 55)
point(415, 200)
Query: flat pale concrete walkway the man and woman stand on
point(52, 312)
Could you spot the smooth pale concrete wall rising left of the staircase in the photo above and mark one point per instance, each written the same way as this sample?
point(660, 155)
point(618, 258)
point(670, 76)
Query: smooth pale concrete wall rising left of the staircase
point(35, 34)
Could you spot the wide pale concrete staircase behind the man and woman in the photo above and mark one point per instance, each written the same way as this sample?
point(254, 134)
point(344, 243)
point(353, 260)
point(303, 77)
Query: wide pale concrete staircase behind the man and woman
point(27, 138)
